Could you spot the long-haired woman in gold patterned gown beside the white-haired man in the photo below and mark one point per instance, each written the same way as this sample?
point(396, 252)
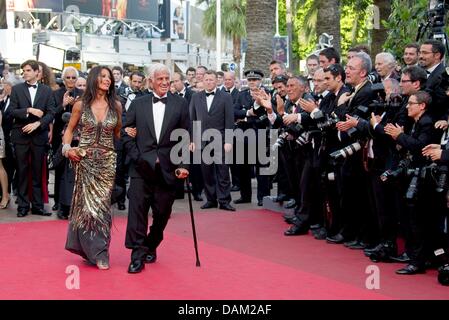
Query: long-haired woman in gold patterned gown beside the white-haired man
point(98, 117)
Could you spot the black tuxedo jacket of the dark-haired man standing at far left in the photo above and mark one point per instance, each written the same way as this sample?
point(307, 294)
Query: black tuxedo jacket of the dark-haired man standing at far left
point(20, 101)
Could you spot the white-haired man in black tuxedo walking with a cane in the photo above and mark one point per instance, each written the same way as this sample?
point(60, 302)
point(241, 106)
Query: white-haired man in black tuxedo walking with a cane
point(153, 174)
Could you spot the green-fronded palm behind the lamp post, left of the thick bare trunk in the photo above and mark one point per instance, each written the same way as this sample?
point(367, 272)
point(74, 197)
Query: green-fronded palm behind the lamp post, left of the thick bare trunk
point(232, 22)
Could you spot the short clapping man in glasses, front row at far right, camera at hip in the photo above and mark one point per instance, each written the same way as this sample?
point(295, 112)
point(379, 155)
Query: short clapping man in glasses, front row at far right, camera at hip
point(423, 200)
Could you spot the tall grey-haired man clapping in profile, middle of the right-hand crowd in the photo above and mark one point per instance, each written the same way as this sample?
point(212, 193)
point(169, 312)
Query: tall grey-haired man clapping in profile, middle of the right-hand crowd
point(354, 197)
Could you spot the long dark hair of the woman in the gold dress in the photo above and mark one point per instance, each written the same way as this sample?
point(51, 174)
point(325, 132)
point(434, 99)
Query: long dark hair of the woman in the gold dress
point(92, 88)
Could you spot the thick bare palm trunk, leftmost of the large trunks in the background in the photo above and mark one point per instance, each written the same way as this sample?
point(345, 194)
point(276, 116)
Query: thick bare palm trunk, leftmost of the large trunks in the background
point(260, 28)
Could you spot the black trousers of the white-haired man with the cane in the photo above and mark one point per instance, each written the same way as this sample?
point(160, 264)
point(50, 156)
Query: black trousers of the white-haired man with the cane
point(144, 194)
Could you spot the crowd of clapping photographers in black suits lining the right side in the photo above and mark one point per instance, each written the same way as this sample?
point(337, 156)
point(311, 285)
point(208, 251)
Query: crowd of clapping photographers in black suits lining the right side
point(362, 152)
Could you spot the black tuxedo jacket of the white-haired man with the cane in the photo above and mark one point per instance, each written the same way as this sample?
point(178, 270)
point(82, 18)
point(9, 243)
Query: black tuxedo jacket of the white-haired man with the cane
point(144, 150)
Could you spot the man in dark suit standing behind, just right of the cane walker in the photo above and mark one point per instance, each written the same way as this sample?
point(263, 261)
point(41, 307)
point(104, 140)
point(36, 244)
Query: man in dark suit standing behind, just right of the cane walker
point(214, 110)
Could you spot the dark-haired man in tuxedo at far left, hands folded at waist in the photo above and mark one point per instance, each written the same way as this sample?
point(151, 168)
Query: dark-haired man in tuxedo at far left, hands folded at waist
point(33, 108)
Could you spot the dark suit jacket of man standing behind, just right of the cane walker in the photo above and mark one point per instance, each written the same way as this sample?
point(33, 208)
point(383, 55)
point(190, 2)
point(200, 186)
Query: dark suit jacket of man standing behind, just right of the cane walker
point(220, 115)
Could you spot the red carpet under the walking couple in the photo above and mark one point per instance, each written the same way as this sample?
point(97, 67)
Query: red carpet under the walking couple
point(243, 255)
